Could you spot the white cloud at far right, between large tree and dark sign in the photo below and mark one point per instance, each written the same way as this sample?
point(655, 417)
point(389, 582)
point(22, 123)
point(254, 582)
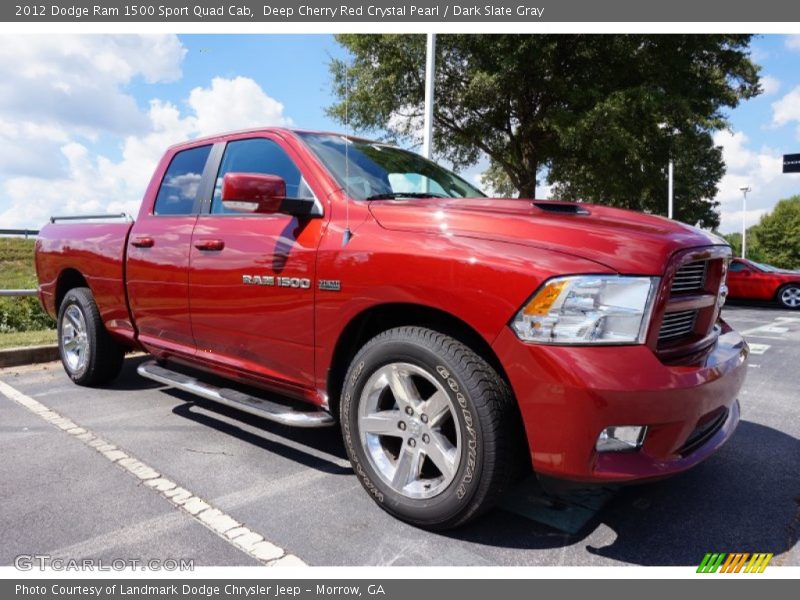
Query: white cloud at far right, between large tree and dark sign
point(761, 170)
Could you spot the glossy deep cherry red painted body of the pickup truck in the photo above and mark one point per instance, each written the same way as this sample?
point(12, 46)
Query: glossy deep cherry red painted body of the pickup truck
point(477, 260)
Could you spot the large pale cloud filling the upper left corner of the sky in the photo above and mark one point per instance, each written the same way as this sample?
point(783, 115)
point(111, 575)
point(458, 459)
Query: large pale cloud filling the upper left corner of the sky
point(59, 88)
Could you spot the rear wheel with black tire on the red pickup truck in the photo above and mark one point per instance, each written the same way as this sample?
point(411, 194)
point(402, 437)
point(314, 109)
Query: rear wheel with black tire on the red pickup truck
point(101, 359)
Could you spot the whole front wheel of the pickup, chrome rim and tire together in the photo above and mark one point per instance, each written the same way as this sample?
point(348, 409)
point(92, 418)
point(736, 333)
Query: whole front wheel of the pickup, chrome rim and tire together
point(429, 426)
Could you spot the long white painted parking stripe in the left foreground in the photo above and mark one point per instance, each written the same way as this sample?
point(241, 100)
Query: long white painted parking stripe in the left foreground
point(225, 526)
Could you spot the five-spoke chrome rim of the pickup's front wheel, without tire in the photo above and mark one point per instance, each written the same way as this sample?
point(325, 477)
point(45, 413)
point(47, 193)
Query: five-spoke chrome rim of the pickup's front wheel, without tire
point(408, 430)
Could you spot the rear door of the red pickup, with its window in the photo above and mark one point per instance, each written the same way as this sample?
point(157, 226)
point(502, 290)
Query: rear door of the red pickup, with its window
point(157, 269)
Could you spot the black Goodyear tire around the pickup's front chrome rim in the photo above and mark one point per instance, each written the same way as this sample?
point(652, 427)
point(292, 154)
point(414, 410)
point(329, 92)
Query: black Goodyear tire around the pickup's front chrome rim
point(481, 406)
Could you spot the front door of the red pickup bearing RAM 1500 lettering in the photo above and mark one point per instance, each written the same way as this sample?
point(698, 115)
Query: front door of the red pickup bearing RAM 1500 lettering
point(251, 276)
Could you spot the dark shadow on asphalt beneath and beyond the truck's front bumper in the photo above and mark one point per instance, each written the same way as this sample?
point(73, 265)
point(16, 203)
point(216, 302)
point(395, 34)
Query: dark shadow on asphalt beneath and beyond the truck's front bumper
point(746, 498)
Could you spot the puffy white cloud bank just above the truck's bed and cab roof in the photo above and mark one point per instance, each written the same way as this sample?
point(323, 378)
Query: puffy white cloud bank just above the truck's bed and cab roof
point(95, 183)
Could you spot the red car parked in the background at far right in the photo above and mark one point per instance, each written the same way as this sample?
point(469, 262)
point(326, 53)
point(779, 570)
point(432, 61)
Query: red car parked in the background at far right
point(755, 281)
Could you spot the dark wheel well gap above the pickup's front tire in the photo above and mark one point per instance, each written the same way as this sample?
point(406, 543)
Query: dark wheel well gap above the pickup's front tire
point(377, 319)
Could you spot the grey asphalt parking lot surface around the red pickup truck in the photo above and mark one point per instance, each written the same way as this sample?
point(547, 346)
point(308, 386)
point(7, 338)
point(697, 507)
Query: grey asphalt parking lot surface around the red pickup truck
point(62, 497)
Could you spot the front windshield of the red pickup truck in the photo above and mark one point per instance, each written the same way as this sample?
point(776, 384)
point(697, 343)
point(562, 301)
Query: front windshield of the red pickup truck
point(373, 171)
